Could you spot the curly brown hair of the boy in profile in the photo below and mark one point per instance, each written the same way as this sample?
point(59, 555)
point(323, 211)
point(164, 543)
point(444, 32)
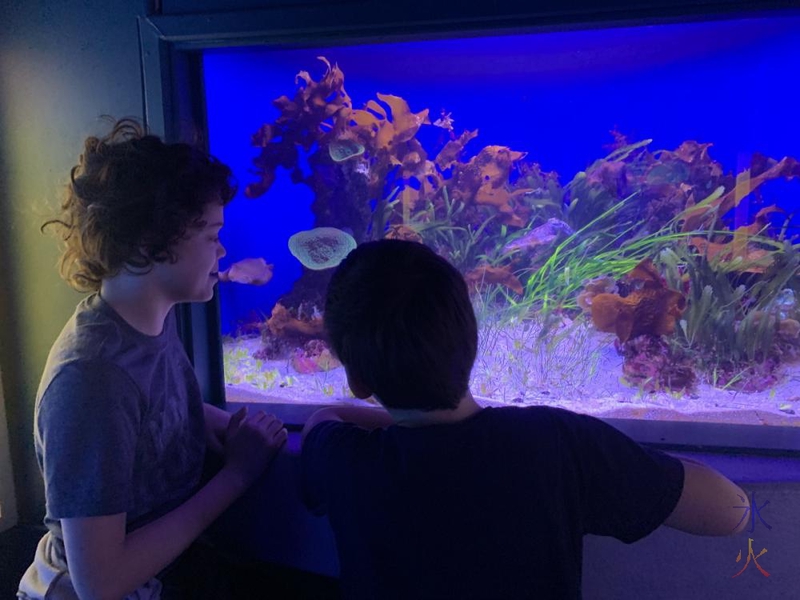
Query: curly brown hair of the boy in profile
point(130, 198)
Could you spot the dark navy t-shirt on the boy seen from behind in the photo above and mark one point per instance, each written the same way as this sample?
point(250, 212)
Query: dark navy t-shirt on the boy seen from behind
point(495, 506)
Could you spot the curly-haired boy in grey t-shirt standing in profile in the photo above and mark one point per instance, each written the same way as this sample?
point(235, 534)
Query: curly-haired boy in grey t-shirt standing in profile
point(120, 426)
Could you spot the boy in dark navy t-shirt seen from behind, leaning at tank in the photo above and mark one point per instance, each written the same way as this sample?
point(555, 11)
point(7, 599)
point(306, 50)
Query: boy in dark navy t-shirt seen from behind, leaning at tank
point(436, 497)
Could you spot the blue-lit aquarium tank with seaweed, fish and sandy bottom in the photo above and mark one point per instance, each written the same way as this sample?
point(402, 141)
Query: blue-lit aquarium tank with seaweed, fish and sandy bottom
point(622, 202)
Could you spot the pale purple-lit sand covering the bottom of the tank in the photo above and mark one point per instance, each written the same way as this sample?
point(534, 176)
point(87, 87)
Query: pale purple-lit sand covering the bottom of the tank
point(580, 371)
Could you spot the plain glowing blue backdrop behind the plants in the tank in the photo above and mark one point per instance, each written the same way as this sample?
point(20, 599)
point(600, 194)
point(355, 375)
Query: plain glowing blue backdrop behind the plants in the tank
point(554, 95)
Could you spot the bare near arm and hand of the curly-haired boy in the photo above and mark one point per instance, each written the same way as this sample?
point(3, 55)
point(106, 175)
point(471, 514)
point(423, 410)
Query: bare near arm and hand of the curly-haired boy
point(104, 562)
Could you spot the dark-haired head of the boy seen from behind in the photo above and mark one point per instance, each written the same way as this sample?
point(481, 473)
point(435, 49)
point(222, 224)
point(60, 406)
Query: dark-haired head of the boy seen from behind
point(399, 318)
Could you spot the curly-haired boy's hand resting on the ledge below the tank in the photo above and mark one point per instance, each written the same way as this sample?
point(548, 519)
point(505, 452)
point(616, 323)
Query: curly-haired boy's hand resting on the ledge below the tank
point(251, 442)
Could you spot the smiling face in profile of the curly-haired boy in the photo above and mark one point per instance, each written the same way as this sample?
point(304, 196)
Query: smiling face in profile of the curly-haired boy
point(192, 276)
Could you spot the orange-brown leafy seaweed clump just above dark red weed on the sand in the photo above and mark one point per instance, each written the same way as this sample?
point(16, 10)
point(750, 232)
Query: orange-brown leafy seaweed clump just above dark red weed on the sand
point(650, 308)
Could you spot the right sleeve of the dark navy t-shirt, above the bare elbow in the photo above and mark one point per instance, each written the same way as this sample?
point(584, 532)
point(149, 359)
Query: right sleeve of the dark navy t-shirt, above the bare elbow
point(626, 490)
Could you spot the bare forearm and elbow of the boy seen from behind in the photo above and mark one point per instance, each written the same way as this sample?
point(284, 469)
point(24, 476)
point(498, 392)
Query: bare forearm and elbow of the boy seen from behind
point(710, 503)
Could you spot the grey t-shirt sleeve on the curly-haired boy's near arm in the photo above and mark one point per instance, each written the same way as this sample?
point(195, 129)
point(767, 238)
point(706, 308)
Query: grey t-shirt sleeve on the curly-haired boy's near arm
point(88, 421)
